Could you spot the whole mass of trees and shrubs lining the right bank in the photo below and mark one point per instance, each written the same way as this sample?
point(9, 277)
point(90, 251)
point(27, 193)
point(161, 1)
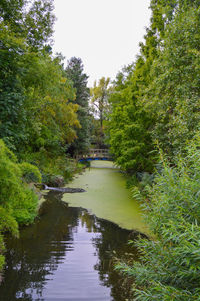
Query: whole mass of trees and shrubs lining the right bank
point(155, 108)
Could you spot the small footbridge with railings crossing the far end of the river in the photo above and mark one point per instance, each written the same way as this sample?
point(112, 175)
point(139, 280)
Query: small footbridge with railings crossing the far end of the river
point(94, 154)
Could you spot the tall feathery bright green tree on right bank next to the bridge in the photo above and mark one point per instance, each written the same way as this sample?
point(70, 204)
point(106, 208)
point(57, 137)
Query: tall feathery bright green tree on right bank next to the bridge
point(130, 123)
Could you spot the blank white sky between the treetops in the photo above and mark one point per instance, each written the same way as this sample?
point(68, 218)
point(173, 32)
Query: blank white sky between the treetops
point(105, 34)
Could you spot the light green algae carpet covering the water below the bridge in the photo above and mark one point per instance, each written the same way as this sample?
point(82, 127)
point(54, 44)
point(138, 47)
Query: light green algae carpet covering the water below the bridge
point(106, 196)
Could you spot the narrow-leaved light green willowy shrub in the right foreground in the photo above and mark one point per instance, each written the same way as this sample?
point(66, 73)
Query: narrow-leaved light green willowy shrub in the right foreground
point(170, 264)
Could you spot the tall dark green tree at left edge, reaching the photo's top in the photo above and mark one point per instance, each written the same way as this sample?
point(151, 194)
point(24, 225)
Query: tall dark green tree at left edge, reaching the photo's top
point(16, 27)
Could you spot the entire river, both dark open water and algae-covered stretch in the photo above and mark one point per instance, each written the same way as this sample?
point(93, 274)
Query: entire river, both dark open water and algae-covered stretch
point(67, 254)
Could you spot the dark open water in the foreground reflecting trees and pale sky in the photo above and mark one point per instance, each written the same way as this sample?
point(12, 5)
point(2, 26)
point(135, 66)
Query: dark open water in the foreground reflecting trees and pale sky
point(66, 255)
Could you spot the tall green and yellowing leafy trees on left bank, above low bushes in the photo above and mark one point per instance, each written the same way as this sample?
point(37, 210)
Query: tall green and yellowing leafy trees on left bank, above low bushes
point(34, 90)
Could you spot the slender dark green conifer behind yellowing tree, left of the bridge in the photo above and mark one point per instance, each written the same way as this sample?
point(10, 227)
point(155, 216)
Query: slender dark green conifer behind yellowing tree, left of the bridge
point(75, 72)
